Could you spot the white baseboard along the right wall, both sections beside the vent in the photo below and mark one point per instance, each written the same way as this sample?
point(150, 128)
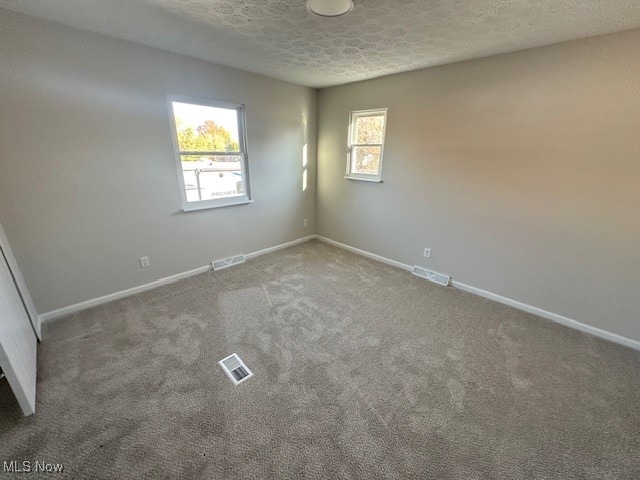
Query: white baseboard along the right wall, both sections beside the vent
point(598, 332)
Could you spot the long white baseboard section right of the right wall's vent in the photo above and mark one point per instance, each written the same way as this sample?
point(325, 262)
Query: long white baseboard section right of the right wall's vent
point(569, 322)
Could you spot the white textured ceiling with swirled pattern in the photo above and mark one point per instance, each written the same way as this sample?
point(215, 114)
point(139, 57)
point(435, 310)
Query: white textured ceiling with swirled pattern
point(281, 39)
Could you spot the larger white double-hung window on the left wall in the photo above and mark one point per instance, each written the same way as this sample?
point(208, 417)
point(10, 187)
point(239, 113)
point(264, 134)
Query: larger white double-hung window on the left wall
point(211, 153)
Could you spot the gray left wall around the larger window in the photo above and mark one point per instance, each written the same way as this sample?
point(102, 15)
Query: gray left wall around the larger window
point(88, 181)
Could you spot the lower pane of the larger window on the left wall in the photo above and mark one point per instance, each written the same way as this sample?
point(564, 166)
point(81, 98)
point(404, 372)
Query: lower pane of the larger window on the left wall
point(212, 176)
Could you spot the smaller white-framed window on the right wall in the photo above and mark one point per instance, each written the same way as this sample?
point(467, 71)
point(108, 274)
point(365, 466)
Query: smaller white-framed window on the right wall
point(366, 142)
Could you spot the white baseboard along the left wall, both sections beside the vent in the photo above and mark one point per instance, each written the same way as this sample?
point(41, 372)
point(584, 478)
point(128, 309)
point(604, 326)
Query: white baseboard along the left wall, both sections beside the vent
point(78, 307)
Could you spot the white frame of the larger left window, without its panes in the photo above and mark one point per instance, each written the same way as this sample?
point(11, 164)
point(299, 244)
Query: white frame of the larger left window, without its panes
point(242, 141)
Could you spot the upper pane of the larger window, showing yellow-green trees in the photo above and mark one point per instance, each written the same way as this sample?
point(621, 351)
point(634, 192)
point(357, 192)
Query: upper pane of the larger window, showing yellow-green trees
point(201, 128)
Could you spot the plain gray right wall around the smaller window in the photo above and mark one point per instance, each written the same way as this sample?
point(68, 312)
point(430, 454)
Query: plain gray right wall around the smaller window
point(521, 171)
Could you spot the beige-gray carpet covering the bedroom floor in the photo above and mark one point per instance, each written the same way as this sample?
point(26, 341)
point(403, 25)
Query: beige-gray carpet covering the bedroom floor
point(361, 371)
